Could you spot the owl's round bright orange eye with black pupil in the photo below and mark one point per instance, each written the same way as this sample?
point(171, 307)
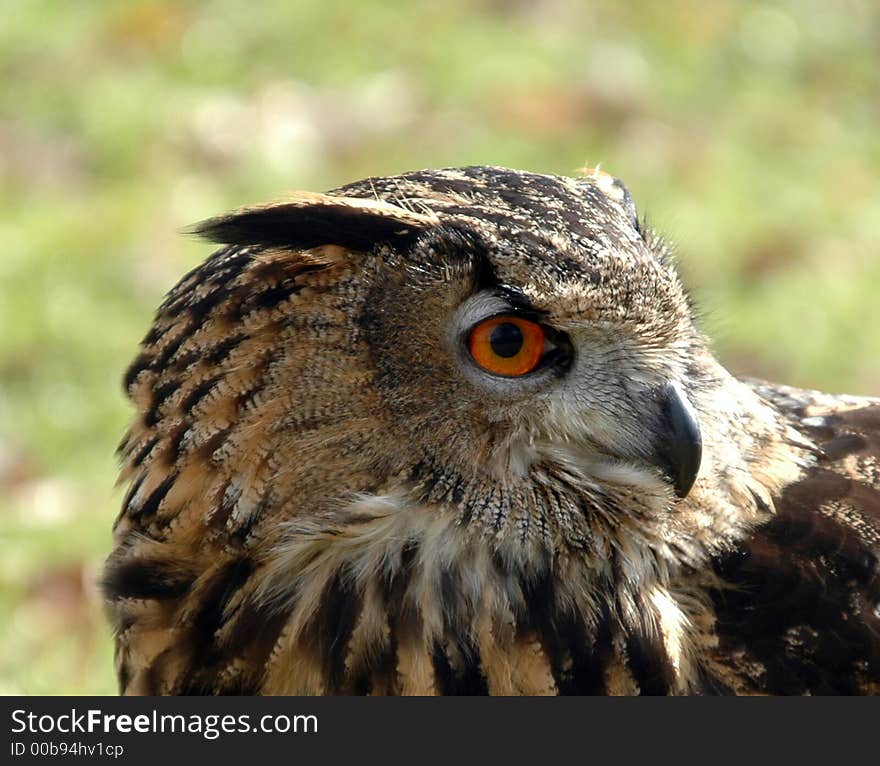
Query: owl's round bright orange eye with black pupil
point(507, 345)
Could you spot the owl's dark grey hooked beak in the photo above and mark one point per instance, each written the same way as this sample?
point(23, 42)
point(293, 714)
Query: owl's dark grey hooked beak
point(678, 448)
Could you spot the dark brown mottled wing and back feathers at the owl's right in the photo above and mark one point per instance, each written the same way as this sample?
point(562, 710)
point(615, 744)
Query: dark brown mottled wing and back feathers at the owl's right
point(799, 611)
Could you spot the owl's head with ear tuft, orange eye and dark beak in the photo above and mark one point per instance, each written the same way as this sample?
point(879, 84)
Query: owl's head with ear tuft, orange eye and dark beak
point(510, 350)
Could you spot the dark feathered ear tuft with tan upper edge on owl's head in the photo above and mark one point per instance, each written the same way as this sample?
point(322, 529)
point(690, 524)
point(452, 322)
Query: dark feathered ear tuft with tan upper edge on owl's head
point(311, 220)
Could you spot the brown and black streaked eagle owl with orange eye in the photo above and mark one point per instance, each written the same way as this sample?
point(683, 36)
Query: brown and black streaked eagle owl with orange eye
point(457, 432)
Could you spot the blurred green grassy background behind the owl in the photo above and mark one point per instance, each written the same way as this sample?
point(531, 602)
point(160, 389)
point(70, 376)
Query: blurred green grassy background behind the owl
point(748, 132)
